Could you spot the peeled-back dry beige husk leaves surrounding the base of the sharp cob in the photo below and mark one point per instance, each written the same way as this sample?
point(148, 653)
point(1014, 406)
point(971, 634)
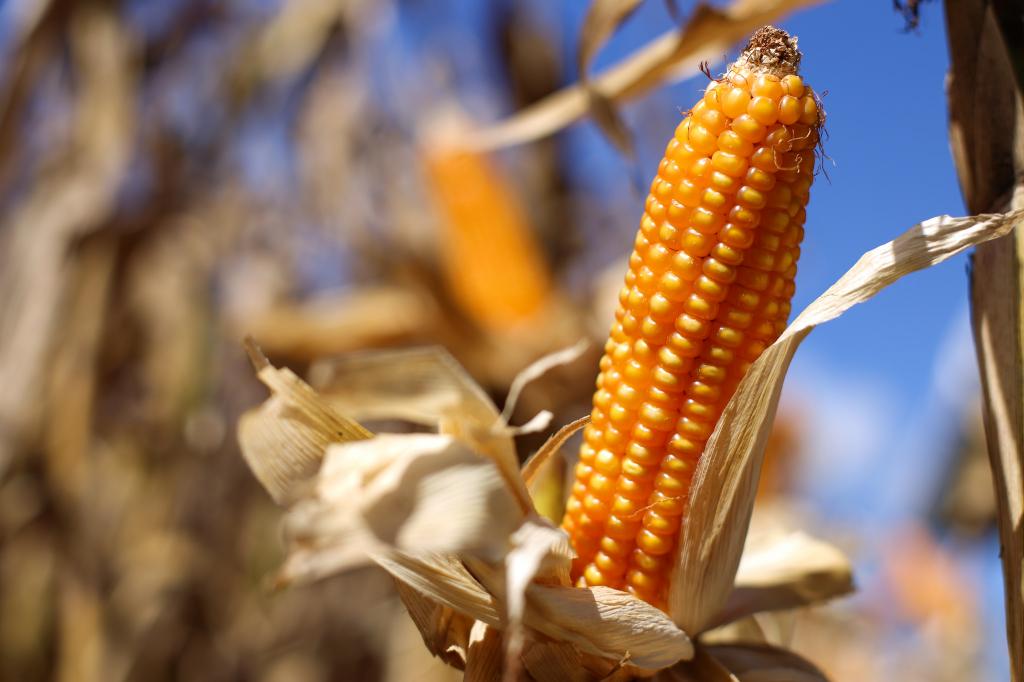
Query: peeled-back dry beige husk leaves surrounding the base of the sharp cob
point(491, 591)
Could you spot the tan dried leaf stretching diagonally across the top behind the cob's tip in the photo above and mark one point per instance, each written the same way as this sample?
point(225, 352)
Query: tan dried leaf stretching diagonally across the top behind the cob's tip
point(710, 34)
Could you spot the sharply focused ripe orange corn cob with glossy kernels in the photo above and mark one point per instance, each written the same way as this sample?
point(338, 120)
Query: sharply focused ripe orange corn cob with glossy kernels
point(709, 288)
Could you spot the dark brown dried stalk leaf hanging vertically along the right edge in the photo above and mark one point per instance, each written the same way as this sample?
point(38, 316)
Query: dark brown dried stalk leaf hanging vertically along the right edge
point(987, 137)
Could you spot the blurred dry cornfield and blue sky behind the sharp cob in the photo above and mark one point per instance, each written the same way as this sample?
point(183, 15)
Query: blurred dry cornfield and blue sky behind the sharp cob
point(178, 176)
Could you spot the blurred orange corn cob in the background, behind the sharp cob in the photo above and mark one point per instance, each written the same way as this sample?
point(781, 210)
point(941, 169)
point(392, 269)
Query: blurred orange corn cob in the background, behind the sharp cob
point(493, 265)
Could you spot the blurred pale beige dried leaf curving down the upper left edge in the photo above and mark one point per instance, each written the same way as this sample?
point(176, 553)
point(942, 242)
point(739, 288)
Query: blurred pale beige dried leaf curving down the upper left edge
point(75, 195)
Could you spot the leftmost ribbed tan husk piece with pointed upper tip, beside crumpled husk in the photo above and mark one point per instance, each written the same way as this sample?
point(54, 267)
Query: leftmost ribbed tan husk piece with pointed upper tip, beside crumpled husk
point(284, 440)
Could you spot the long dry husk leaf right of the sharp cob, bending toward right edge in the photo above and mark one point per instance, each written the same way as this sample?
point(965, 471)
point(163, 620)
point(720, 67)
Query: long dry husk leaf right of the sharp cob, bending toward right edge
point(726, 484)
